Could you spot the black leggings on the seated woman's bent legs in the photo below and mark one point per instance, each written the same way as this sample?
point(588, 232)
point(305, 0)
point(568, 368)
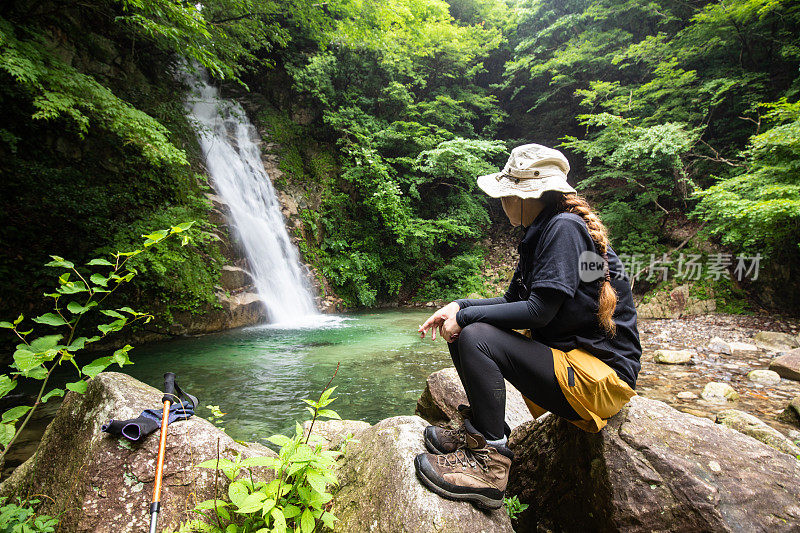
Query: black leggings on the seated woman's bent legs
point(484, 354)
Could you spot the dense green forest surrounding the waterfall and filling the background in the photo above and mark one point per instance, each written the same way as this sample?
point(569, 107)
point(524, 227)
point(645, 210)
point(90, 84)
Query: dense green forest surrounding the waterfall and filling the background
point(674, 114)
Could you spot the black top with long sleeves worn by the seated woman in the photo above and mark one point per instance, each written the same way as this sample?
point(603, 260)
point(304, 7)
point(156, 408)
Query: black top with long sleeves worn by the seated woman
point(555, 290)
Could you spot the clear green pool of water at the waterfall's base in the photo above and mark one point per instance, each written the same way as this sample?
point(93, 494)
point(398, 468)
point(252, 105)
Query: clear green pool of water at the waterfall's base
point(259, 375)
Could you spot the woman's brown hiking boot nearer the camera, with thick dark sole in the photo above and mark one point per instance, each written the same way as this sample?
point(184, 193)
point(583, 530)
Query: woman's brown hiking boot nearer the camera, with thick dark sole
point(477, 473)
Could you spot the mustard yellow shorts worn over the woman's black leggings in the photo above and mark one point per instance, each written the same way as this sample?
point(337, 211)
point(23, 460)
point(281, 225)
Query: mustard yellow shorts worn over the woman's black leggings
point(591, 387)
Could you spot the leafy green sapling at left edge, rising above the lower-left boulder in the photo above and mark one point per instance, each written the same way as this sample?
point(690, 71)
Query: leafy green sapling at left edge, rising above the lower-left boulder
point(80, 293)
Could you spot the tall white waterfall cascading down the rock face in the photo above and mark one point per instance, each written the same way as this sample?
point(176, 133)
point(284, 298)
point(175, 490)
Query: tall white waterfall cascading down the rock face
point(230, 144)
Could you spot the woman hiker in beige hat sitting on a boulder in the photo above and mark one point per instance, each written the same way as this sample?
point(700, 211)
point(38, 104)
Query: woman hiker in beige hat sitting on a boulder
point(581, 358)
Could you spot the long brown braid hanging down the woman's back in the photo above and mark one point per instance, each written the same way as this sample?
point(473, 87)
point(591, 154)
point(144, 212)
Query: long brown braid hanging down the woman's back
point(607, 300)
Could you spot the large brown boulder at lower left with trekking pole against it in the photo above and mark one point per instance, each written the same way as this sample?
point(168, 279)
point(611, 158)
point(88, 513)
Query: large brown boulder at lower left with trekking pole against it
point(101, 483)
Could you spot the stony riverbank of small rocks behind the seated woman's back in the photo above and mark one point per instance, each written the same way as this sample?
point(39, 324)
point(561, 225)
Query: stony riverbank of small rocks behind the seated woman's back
point(682, 385)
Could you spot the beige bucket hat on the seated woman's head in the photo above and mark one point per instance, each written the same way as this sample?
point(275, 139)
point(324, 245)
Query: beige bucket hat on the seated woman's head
point(531, 170)
